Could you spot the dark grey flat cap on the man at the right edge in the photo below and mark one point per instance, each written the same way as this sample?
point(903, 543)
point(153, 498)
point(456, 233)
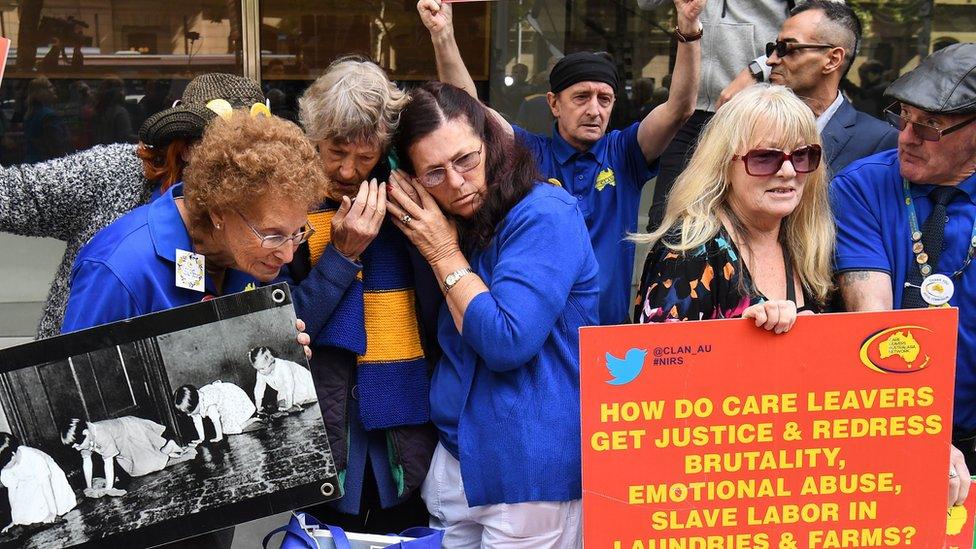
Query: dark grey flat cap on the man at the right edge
point(943, 83)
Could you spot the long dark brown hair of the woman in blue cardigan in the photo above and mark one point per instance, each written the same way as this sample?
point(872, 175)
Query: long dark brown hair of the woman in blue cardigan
point(510, 171)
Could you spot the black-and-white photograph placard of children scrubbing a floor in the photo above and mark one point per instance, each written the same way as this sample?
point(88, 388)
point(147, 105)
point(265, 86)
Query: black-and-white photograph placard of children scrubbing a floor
point(161, 427)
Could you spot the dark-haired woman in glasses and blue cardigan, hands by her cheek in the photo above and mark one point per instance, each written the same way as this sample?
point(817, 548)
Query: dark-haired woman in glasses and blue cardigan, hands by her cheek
point(519, 279)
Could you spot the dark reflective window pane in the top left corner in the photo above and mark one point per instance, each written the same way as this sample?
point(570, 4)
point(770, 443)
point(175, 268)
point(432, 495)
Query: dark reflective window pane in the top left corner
point(82, 73)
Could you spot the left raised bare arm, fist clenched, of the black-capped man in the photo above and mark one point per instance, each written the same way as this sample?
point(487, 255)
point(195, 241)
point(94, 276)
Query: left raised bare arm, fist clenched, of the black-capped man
point(437, 16)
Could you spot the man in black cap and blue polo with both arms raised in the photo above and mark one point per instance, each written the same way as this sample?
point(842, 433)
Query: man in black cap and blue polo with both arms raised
point(605, 171)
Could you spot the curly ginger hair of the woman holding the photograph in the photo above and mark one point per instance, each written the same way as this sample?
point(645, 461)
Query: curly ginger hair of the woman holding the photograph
point(242, 159)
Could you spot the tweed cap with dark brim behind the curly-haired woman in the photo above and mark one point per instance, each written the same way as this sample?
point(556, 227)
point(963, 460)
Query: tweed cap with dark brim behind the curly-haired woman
point(188, 119)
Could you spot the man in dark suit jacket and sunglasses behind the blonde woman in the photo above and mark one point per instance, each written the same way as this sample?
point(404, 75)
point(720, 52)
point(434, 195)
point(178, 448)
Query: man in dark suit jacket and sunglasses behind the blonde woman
point(811, 55)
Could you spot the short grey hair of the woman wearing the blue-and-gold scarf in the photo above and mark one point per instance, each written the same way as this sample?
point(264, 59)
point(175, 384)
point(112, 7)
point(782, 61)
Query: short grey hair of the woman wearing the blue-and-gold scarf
point(353, 102)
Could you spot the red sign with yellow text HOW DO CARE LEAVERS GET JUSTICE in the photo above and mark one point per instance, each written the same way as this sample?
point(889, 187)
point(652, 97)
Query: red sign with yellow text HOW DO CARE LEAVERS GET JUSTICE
point(715, 434)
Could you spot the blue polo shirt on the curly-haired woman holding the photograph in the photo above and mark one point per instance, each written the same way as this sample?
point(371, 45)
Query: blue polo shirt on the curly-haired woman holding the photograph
point(129, 268)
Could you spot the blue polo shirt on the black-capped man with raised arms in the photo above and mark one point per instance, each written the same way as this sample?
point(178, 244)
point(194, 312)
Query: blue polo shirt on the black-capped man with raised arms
point(607, 181)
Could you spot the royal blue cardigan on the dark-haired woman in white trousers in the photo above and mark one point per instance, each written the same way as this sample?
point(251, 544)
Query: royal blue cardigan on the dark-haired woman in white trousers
point(505, 394)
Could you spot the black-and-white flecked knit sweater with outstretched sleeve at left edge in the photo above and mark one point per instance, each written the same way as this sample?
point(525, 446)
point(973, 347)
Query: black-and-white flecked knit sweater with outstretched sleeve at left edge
point(70, 198)
